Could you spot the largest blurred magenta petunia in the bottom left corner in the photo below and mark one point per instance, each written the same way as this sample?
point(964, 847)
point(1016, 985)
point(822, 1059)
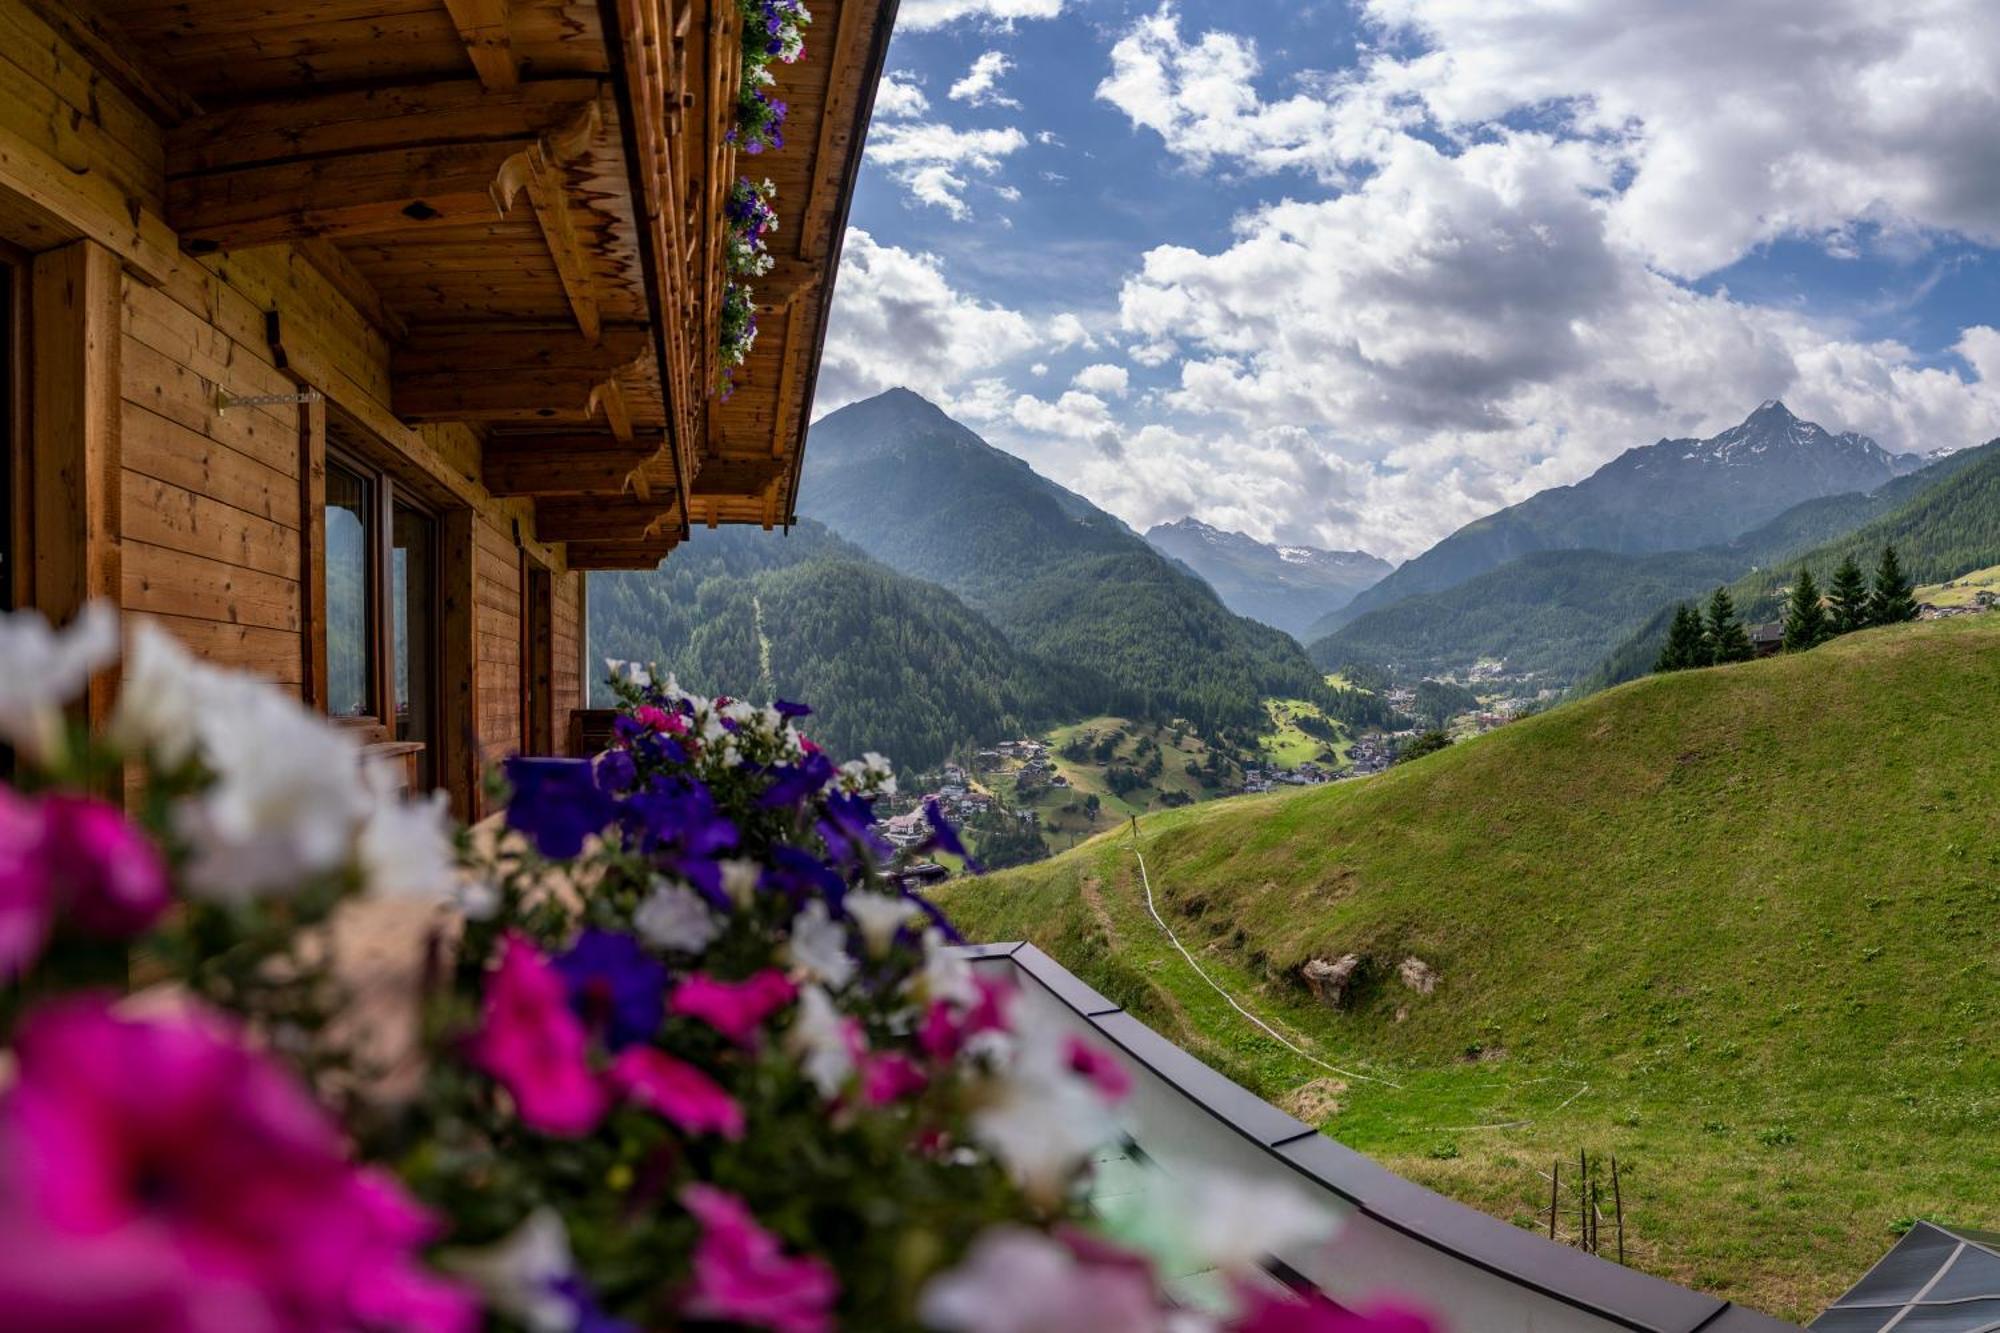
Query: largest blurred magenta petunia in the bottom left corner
point(161, 1176)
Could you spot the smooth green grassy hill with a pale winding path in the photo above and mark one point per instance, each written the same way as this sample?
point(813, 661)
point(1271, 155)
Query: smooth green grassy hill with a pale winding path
point(1739, 928)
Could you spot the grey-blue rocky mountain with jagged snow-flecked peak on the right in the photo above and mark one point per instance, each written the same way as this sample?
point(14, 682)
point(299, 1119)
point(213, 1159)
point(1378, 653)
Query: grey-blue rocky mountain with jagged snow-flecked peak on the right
point(1673, 495)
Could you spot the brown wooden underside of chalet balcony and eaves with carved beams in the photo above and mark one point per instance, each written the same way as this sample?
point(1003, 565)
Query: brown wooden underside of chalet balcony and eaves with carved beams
point(527, 199)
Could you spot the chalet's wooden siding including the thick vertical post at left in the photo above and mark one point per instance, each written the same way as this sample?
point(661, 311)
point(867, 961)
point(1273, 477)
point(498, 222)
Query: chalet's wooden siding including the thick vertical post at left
point(193, 515)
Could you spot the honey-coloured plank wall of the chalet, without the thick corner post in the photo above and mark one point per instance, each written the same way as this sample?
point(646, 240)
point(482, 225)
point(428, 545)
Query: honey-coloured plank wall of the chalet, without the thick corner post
point(213, 535)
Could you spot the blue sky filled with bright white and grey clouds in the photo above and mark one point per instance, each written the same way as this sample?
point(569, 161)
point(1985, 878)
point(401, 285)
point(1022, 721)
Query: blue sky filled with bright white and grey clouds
point(1357, 271)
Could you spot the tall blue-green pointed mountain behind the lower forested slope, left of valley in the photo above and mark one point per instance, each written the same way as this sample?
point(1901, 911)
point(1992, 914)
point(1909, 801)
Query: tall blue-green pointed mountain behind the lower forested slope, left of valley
point(1065, 581)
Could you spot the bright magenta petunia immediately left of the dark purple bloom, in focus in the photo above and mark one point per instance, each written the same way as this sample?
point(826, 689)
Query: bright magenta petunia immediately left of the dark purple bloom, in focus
point(537, 1046)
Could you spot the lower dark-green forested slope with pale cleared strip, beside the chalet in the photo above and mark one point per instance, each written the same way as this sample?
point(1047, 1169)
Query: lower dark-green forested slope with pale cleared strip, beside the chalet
point(889, 663)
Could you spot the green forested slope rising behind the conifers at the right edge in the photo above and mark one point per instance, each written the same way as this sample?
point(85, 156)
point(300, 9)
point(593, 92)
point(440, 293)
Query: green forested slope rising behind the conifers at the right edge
point(1943, 521)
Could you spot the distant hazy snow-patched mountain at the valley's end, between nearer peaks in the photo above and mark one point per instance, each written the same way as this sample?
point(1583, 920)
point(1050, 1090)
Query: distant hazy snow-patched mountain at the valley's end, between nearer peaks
point(1285, 587)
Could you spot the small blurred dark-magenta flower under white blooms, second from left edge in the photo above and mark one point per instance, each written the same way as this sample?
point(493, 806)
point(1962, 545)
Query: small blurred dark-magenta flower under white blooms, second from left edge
point(109, 876)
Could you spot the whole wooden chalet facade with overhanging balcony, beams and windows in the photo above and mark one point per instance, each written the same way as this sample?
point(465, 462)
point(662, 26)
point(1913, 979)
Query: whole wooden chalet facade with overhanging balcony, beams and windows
point(337, 315)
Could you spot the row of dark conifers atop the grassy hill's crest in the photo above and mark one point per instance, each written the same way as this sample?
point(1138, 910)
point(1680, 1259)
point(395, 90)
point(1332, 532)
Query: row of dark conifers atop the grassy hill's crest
point(1713, 635)
